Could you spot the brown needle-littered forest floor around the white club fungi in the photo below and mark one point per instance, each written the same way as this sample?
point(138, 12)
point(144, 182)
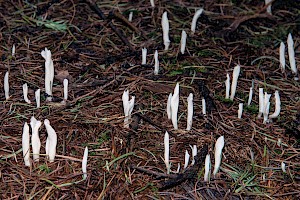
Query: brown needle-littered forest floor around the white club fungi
point(99, 52)
